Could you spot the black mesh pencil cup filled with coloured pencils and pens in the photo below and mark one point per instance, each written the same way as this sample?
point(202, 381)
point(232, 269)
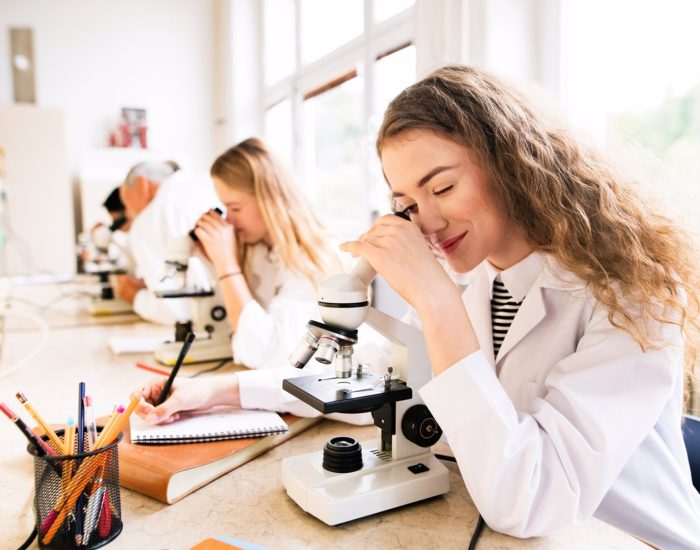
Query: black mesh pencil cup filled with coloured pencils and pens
point(77, 502)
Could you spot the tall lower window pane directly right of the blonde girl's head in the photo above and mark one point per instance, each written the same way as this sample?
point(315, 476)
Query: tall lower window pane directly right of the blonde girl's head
point(334, 178)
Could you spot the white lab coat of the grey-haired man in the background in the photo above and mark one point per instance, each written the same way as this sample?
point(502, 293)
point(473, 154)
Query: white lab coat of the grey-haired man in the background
point(179, 202)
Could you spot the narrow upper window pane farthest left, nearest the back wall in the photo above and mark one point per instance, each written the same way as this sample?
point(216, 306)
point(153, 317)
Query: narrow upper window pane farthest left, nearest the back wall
point(279, 43)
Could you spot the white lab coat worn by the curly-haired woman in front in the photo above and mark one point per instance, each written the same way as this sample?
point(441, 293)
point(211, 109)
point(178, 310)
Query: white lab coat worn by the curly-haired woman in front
point(571, 420)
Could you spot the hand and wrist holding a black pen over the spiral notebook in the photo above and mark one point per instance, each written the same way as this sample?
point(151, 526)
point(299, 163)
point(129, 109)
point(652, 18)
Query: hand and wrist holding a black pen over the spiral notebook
point(186, 395)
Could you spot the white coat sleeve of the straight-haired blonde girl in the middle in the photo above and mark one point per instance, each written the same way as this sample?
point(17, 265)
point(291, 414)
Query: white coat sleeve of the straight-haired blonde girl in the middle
point(266, 338)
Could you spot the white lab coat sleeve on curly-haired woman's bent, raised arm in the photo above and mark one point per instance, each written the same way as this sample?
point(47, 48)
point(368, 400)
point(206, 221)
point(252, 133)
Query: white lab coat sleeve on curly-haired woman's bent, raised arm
point(533, 472)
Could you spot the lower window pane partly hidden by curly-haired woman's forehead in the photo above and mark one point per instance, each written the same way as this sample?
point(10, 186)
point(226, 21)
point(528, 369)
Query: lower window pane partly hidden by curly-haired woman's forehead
point(392, 73)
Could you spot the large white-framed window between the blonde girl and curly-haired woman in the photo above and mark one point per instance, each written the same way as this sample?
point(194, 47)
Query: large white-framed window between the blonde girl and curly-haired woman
point(324, 113)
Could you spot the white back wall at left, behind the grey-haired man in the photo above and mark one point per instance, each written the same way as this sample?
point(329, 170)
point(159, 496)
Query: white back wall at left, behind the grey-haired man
point(92, 58)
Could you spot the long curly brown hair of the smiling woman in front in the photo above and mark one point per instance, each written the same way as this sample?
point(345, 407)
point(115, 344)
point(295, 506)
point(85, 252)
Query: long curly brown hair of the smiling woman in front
point(566, 198)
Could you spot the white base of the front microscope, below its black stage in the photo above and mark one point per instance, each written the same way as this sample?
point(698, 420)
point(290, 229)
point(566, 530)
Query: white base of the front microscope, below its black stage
point(381, 484)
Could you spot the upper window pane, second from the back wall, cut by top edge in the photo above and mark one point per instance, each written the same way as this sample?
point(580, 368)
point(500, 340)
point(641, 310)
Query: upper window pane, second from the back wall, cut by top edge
point(327, 25)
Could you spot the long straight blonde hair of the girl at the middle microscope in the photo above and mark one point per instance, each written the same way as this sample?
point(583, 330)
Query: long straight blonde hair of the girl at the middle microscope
point(296, 234)
